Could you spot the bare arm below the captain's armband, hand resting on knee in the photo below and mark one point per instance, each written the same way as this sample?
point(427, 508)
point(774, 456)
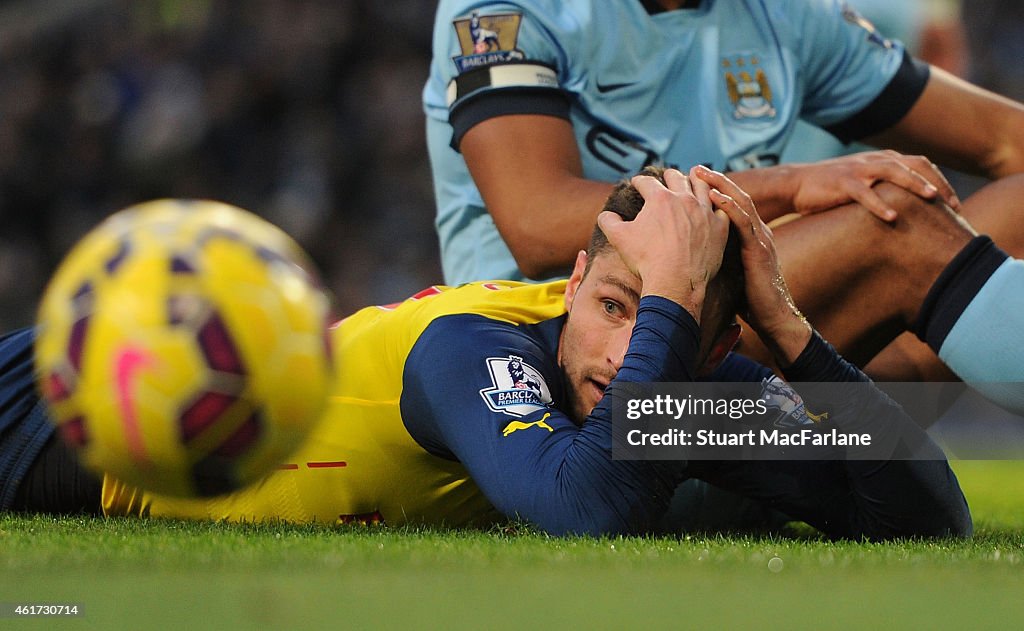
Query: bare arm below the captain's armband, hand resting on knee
point(529, 172)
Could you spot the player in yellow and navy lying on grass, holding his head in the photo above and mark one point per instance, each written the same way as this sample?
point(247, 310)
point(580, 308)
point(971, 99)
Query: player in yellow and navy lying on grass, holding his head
point(493, 400)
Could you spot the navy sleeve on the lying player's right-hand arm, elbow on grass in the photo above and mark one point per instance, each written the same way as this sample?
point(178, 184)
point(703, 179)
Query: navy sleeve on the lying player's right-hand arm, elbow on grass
point(913, 494)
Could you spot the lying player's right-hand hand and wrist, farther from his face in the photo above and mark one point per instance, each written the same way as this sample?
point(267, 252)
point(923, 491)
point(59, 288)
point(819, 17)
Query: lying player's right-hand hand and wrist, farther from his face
point(772, 311)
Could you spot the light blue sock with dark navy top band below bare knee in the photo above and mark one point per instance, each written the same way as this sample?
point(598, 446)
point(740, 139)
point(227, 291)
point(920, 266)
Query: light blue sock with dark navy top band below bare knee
point(973, 318)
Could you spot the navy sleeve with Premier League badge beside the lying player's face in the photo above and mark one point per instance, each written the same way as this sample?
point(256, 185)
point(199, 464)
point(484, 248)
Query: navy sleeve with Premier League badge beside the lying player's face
point(529, 458)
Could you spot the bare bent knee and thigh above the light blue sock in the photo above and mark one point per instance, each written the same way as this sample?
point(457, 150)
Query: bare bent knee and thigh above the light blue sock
point(861, 281)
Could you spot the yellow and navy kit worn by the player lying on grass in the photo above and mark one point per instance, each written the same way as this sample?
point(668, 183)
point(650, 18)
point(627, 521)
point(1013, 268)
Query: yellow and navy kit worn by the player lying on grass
point(447, 411)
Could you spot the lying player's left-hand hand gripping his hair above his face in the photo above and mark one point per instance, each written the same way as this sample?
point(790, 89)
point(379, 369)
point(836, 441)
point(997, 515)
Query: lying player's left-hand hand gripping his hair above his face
point(676, 242)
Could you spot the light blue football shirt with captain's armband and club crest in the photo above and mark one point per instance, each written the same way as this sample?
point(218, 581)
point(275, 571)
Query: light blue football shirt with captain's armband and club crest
point(722, 85)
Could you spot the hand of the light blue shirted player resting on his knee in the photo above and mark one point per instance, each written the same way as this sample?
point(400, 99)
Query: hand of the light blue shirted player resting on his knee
point(829, 184)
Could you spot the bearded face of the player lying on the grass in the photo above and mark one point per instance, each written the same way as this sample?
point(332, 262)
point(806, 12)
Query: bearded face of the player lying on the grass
point(603, 310)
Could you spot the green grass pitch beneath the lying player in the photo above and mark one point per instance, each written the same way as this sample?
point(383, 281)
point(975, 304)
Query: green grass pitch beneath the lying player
point(129, 574)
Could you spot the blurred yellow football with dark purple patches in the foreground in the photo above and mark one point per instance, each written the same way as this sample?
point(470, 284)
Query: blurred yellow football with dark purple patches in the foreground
point(183, 348)
